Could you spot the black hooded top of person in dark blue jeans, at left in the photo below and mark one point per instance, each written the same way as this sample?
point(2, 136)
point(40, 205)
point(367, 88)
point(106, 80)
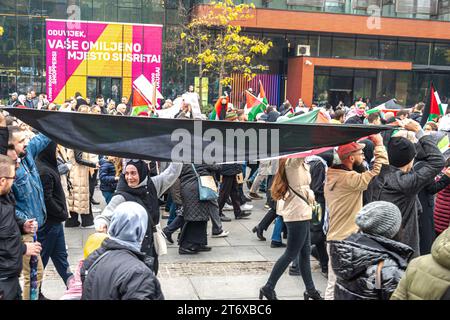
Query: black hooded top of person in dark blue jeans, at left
point(55, 199)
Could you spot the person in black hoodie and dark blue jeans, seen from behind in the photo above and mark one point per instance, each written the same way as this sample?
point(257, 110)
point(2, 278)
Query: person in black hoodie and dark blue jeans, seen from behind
point(51, 234)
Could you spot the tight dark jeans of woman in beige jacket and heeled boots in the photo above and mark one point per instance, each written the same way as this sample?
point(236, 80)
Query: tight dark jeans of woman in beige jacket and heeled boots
point(298, 244)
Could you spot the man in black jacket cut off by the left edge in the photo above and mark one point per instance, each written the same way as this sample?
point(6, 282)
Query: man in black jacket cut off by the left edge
point(11, 246)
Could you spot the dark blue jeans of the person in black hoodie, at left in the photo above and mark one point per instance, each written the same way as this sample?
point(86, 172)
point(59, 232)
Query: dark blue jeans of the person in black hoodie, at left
point(51, 237)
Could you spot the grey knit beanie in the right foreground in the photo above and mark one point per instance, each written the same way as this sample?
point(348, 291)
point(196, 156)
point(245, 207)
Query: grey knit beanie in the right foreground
point(380, 218)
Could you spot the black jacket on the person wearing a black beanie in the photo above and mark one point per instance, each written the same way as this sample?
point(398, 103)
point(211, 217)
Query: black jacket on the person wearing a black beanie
point(400, 188)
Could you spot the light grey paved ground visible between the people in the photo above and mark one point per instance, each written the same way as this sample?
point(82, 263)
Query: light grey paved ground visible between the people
point(235, 268)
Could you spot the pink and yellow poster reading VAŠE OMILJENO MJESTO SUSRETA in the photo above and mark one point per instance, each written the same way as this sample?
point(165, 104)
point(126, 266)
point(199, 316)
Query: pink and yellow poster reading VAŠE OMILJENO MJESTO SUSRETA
point(80, 50)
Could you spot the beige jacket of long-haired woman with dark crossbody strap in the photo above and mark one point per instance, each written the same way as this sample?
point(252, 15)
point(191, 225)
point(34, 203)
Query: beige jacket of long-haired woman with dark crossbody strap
point(293, 208)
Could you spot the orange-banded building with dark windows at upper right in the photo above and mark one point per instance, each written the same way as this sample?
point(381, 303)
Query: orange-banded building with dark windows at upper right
point(343, 49)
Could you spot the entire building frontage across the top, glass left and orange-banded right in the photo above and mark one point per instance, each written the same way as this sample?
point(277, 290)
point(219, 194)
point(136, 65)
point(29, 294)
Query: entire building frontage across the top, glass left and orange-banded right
point(324, 50)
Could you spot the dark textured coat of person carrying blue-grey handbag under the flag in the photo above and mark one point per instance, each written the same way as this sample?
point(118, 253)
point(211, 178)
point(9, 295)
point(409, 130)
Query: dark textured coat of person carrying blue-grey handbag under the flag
point(194, 209)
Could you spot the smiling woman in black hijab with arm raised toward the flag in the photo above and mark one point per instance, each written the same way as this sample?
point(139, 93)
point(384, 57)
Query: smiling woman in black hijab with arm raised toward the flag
point(137, 186)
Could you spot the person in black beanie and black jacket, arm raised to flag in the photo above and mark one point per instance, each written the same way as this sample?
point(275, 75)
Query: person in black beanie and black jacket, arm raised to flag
point(399, 184)
